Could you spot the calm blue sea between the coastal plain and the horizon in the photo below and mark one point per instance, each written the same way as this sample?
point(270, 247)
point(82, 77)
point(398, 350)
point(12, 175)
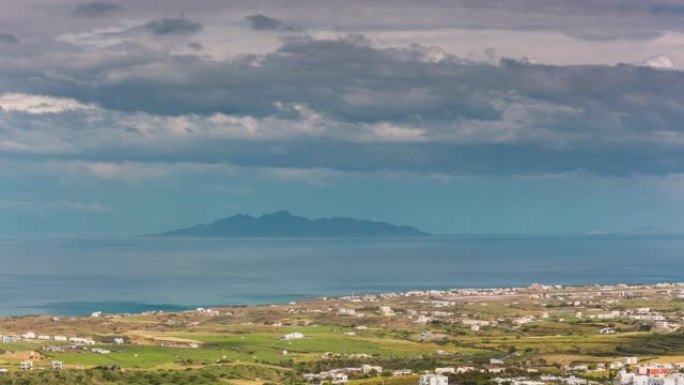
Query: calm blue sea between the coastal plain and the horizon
point(78, 276)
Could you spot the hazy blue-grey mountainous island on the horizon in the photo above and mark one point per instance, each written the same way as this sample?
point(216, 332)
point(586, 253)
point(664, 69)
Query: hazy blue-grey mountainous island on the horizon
point(284, 224)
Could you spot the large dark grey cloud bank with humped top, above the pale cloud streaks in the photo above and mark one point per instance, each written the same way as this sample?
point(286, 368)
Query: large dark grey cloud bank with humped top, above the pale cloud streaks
point(351, 81)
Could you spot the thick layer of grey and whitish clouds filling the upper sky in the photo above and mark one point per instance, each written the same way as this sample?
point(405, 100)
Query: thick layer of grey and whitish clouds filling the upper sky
point(154, 88)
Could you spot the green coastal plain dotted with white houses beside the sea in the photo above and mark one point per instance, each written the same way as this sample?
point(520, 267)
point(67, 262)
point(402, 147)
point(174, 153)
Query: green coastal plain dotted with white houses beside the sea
point(541, 334)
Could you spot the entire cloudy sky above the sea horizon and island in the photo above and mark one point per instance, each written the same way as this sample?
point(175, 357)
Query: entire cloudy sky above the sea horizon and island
point(460, 116)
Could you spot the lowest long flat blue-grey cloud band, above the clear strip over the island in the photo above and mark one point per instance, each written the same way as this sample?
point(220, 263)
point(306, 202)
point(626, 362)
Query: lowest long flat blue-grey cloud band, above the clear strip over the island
point(425, 158)
